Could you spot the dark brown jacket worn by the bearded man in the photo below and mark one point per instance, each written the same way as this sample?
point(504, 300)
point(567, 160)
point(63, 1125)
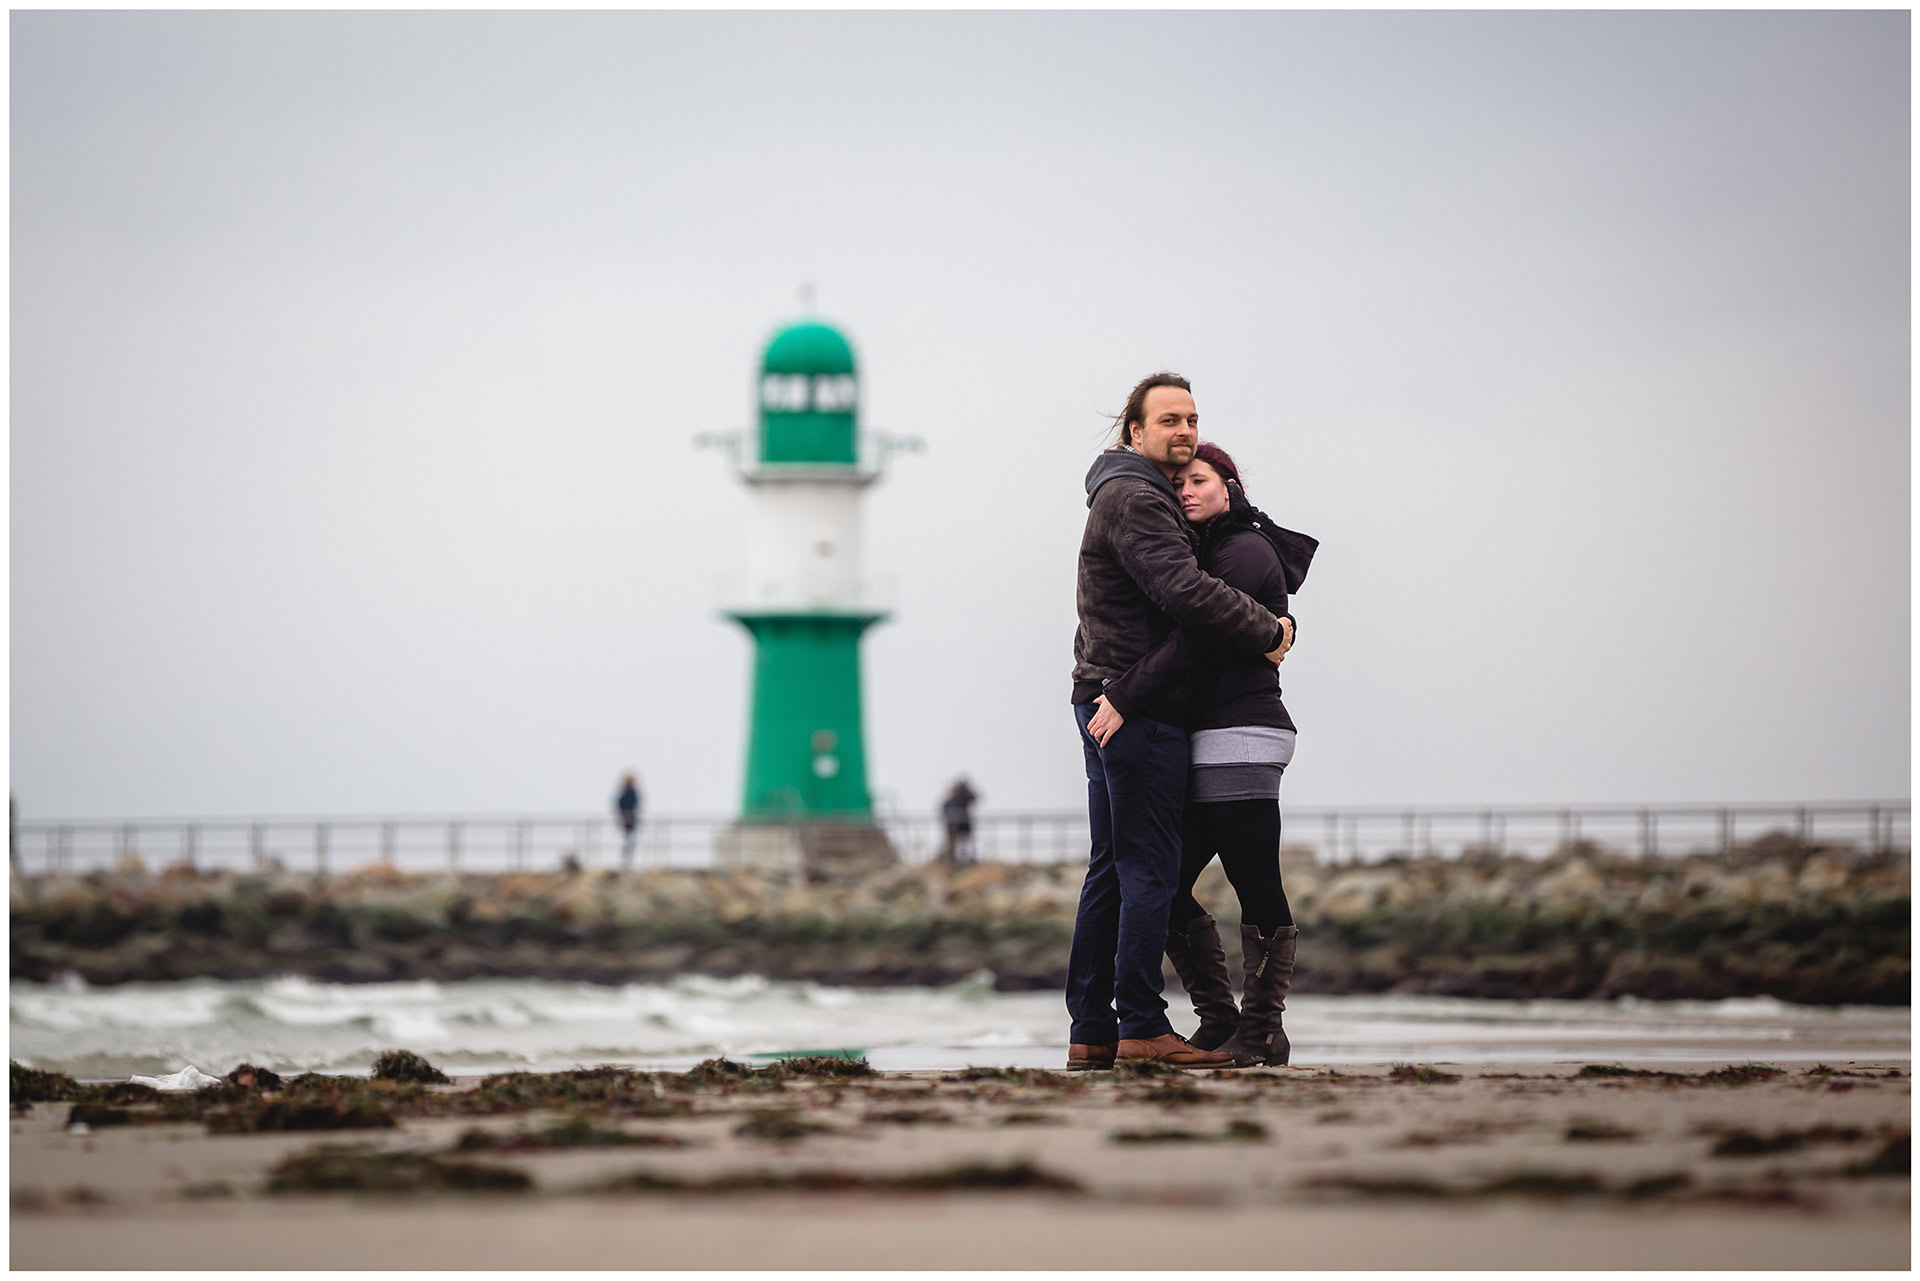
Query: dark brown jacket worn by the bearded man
point(1140, 581)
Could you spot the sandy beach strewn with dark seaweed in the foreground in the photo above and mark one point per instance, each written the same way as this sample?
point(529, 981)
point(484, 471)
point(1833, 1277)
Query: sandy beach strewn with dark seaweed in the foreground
point(1702, 1165)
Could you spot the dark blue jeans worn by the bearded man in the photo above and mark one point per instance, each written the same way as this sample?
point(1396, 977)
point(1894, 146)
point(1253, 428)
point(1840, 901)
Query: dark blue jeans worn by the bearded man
point(1136, 794)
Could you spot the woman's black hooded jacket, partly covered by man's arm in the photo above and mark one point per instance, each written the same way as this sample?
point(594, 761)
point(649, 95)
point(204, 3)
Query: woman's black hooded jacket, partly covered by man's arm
point(1245, 550)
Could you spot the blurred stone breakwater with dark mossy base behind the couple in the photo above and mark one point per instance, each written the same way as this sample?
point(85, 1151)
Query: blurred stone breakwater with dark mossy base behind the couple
point(1777, 919)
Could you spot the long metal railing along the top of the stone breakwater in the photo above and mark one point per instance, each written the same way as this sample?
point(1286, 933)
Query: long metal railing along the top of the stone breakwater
point(546, 842)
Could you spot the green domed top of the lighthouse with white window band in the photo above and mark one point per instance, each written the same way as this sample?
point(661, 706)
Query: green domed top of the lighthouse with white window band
point(809, 399)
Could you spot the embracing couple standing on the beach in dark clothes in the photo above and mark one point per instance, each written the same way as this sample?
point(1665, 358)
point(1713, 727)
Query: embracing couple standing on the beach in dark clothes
point(1182, 621)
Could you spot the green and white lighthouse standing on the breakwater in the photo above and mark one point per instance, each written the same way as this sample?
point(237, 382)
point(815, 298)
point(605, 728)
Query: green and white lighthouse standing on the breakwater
point(807, 604)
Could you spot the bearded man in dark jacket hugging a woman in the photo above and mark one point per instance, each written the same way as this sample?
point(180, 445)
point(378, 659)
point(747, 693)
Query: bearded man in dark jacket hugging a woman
point(1140, 581)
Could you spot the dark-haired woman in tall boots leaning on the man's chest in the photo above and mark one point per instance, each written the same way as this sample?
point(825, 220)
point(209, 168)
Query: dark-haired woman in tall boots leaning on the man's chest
point(1241, 744)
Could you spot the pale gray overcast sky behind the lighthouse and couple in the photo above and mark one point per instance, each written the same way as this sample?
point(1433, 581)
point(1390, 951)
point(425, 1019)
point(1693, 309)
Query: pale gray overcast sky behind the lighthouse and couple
point(356, 362)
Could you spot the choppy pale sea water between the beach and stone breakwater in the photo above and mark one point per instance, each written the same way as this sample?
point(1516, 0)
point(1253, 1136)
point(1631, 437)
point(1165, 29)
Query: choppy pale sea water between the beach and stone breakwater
point(477, 1027)
